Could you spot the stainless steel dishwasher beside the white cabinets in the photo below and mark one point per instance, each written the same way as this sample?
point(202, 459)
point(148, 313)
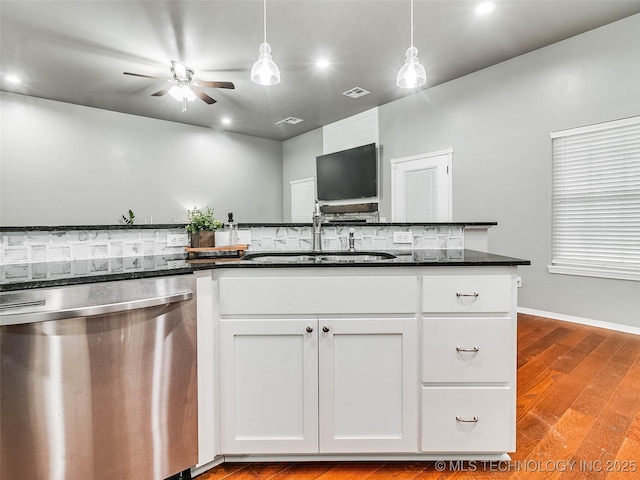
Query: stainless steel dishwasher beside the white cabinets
point(98, 381)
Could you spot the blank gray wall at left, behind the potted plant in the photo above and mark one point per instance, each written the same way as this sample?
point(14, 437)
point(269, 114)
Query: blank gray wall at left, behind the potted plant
point(63, 164)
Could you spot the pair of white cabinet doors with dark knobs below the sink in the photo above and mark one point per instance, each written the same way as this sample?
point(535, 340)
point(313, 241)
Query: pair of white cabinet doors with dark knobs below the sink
point(329, 385)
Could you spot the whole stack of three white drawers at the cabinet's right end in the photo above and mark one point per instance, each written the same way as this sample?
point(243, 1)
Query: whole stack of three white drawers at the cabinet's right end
point(468, 363)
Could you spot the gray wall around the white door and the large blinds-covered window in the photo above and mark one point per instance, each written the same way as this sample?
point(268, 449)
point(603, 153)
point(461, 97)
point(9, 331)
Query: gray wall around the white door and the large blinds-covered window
point(498, 122)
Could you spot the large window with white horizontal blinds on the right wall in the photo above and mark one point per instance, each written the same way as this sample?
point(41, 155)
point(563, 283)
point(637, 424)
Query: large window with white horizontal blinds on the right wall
point(596, 200)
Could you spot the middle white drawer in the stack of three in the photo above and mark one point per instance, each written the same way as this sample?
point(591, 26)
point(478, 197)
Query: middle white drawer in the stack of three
point(468, 349)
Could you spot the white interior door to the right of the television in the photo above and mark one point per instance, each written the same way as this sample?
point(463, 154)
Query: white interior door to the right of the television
point(421, 187)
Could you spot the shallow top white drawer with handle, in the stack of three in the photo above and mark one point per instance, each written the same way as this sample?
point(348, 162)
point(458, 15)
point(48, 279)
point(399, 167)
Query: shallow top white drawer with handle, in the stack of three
point(467, 293)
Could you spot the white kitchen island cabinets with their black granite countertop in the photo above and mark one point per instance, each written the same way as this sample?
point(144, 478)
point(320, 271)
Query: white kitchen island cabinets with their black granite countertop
point(409, 358)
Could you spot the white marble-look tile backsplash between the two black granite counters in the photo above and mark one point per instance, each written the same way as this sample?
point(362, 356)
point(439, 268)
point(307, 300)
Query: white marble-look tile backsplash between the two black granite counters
point(134, 246)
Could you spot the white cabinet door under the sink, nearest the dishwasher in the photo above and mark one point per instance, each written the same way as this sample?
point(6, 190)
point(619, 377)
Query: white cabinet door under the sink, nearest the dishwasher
point(269, 386)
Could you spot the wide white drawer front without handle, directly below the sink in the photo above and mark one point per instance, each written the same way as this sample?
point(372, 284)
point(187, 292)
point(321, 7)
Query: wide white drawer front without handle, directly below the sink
point(319, 295)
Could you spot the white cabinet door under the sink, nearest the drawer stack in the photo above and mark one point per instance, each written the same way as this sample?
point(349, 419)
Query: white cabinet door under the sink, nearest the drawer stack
point(368, 385)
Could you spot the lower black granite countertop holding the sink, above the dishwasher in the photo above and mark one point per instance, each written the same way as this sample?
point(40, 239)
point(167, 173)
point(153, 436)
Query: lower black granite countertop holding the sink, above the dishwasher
point(24, 276)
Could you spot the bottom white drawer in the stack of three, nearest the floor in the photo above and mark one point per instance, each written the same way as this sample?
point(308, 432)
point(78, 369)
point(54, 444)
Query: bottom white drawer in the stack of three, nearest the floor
point(468, 419)
